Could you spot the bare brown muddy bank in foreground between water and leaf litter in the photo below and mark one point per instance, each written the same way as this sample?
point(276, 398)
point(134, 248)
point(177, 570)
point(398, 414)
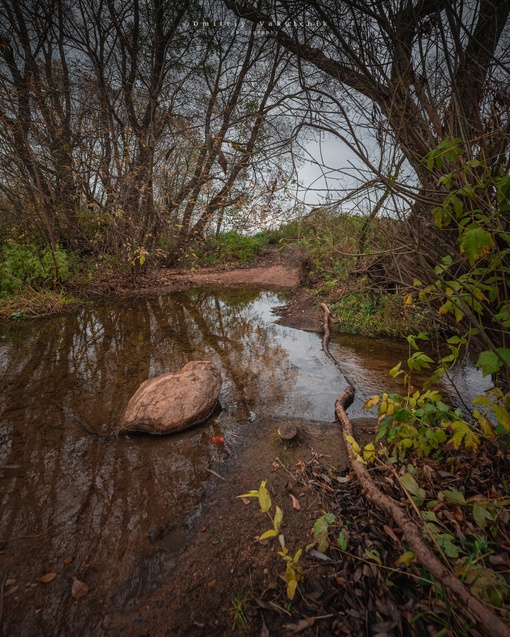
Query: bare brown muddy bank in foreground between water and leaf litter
point(224, 560)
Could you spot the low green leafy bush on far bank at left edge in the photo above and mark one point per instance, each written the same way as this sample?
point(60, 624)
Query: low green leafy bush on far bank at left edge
point(27, 265)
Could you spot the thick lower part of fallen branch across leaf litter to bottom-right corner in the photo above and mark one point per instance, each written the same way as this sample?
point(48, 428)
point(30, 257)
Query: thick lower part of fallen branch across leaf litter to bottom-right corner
point(479, 613)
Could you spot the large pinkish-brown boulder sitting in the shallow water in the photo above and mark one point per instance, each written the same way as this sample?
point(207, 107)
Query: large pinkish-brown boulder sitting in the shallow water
point(174, 401)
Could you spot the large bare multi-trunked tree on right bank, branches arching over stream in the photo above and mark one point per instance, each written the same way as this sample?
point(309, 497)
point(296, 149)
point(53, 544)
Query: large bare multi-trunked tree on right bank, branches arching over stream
point(408, 77)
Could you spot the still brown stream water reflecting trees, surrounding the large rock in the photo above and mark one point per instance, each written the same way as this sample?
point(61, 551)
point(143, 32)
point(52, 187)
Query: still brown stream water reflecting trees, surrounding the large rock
point(82, 501)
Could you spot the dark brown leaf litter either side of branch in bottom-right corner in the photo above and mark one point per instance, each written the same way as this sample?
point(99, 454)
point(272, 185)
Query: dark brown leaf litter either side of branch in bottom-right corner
point(371, 583)
